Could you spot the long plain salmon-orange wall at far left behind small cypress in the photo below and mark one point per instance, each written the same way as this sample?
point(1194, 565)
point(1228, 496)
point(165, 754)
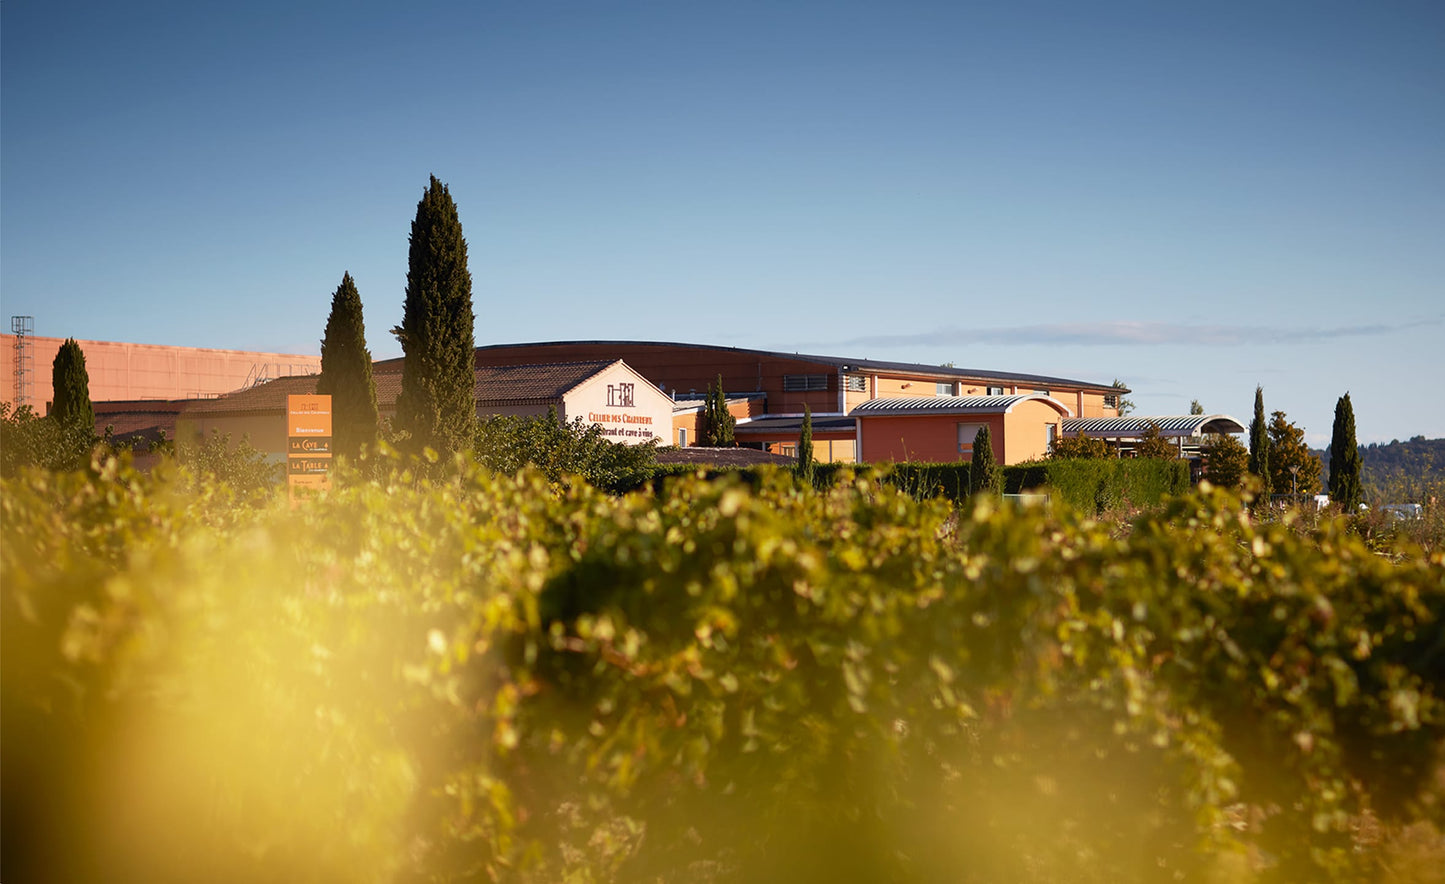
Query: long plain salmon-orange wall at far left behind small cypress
point(148, 370)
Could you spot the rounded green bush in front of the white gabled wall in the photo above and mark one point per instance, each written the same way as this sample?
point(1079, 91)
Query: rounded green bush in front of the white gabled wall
point(561, 451)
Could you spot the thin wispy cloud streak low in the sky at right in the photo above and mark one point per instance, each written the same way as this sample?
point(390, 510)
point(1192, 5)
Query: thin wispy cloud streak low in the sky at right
point(1134, 334)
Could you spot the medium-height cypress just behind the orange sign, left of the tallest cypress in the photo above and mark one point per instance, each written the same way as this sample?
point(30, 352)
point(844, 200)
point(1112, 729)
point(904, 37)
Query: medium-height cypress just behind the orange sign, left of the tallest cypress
point(346, 373)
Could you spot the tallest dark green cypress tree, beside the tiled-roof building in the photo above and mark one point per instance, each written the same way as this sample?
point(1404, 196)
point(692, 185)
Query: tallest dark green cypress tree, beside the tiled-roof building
point(437, 407)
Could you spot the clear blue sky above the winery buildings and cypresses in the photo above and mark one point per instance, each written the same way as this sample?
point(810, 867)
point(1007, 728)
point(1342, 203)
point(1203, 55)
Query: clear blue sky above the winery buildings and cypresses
point(1193, 199)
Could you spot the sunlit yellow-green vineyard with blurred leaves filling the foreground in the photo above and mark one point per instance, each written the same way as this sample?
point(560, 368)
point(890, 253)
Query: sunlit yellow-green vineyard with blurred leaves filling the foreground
point(504, 678)
